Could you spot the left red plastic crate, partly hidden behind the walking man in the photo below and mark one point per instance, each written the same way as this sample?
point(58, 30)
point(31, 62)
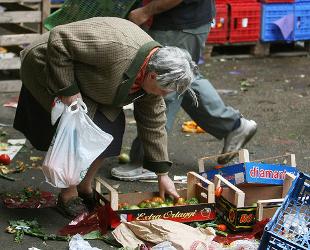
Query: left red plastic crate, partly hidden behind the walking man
point(219, 30)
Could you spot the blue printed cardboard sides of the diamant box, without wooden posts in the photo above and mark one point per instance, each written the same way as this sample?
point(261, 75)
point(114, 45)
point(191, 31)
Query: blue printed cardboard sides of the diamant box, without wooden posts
point(252, 172)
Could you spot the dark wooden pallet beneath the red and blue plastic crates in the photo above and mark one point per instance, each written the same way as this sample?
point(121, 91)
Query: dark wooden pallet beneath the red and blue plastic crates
point(255, 49)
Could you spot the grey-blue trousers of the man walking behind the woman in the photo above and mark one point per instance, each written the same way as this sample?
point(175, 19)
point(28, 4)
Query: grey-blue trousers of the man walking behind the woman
point(212, 114)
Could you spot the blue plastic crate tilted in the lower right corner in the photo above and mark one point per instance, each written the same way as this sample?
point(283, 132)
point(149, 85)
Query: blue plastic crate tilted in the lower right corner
point(289, 228)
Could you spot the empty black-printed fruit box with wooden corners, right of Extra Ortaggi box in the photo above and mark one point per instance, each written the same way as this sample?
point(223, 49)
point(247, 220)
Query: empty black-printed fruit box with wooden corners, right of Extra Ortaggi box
point(240, 207)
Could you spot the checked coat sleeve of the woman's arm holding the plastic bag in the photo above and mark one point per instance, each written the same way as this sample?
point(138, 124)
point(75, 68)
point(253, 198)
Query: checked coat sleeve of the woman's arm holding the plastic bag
point(59, 66)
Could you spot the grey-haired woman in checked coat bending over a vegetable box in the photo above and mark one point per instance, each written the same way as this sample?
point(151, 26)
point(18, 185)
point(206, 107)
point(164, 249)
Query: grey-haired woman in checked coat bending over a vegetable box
point(108, 62)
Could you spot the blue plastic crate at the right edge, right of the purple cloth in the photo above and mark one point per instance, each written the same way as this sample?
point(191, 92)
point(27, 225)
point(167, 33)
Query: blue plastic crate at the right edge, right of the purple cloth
point(302, 22)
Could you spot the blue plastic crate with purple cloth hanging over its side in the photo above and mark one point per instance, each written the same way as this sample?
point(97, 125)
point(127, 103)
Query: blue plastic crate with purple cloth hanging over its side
point(270, 13)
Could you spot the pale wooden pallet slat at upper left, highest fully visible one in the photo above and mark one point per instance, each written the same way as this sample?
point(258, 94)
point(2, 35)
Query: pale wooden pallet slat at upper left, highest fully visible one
point(21, 17)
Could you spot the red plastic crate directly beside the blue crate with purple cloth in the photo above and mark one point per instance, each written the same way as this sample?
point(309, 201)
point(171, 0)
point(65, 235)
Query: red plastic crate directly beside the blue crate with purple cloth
point(245, 22)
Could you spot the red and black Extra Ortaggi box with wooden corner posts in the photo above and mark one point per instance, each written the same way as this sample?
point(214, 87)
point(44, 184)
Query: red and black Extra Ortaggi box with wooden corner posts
point(197, 186)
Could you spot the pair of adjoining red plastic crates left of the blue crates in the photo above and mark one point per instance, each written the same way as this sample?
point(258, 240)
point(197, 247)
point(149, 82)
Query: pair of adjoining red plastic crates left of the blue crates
point(237, 21)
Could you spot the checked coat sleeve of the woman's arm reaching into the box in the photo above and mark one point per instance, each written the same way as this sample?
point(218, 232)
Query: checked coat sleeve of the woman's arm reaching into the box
point(149, 113)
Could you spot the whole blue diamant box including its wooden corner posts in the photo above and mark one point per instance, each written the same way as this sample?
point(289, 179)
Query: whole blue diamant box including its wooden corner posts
point(252, 172)
